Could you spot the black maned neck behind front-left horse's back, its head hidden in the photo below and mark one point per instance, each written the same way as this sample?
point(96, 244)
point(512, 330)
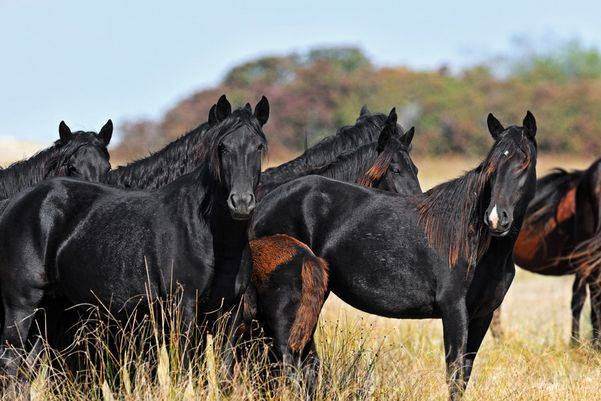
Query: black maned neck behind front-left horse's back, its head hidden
point(178, 158)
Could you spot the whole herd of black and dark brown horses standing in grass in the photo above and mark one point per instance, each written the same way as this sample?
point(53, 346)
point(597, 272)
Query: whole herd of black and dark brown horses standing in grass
point(347, 216)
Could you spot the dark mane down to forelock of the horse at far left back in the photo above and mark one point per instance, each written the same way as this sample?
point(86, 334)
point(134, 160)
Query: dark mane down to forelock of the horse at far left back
point(46, 163)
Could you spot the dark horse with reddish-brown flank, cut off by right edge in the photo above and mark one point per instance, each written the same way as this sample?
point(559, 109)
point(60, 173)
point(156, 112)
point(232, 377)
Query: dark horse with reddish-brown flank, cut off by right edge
point(560, 236)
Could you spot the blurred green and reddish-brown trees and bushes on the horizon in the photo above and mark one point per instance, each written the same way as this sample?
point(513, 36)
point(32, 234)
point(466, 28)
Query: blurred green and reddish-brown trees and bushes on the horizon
point(316, 92)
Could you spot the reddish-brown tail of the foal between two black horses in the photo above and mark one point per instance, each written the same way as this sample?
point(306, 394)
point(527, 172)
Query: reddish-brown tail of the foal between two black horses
point(314, 276)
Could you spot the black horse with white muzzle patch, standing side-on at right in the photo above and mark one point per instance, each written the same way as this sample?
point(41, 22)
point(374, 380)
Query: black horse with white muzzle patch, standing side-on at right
point(447, 253)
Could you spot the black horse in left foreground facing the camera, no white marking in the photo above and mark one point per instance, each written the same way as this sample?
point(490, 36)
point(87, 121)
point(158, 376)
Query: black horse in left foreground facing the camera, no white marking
point(128, 239)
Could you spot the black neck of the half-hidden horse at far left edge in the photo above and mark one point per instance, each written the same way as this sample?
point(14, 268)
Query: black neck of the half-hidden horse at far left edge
point(26, 173)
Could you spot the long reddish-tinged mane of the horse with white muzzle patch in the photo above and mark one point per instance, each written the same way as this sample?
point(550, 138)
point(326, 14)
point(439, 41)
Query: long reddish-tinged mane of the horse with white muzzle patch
point(451, 213)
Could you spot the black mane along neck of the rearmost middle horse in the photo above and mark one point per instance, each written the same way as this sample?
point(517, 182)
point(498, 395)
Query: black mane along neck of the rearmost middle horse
point(366, 130)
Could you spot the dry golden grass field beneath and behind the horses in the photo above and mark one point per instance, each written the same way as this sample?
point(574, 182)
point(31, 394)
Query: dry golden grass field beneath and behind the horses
point(370, 358)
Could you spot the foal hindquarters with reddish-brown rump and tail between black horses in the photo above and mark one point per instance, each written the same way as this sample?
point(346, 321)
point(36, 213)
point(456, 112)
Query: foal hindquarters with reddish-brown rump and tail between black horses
point(291, 288)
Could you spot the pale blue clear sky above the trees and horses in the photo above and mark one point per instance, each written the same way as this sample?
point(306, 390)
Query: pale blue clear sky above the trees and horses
point(84, 61)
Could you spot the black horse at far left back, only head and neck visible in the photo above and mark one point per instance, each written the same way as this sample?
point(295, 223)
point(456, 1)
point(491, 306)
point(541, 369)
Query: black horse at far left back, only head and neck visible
point(80, 155)
